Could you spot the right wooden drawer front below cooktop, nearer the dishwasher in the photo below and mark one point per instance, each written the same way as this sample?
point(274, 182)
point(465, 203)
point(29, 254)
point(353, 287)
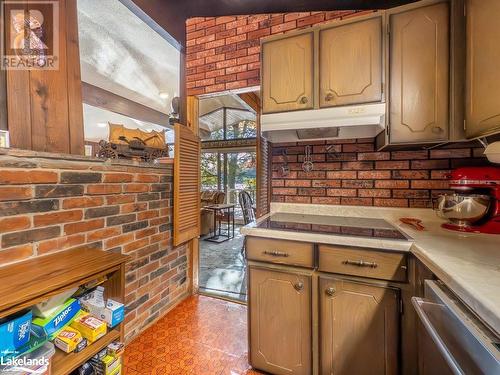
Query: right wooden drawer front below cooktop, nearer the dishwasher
point(362, 262)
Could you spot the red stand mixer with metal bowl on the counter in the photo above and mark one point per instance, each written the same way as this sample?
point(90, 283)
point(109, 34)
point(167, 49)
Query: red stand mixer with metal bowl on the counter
point(475, 205)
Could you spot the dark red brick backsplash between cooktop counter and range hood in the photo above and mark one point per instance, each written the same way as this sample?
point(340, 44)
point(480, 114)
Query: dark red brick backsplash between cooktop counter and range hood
point(351, 172)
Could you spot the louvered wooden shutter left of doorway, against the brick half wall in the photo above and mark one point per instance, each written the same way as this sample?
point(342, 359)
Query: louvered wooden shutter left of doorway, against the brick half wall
point(186, 185)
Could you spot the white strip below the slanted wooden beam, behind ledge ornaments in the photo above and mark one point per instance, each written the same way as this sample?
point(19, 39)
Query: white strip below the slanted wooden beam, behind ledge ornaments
point(96, 128)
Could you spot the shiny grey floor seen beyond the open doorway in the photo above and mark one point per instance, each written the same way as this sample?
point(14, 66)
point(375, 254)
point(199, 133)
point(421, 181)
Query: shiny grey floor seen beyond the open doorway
point(222, 269)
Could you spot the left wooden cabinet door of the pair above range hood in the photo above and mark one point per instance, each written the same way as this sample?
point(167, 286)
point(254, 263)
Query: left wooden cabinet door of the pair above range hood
point(288, 73)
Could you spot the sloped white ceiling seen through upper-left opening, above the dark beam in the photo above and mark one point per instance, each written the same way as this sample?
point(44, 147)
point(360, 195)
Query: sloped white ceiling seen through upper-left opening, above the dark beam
point(122, 54)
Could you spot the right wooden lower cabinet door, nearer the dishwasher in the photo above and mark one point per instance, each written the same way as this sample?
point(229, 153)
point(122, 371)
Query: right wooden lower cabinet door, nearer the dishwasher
point(359, 328)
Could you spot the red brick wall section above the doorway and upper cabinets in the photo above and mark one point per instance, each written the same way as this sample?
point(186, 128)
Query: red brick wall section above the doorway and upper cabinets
point(223, 53)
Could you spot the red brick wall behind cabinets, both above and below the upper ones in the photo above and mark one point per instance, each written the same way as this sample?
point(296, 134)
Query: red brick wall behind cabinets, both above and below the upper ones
point(223, 53)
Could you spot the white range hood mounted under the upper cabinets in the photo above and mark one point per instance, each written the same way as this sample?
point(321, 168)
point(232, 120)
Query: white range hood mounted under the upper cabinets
point(361, 121)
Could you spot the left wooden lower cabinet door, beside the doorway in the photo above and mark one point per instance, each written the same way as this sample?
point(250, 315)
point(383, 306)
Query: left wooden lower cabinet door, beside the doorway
point(280, 321)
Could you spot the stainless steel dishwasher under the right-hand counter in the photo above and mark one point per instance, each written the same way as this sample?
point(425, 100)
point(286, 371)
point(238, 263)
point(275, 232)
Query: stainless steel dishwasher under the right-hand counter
point(451, 340)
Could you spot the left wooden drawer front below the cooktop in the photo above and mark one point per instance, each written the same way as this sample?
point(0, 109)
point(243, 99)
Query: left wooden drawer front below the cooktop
point(280, 251)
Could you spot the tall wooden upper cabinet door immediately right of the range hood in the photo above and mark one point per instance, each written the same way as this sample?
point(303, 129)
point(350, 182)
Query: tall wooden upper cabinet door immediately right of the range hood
point(419, 73)
